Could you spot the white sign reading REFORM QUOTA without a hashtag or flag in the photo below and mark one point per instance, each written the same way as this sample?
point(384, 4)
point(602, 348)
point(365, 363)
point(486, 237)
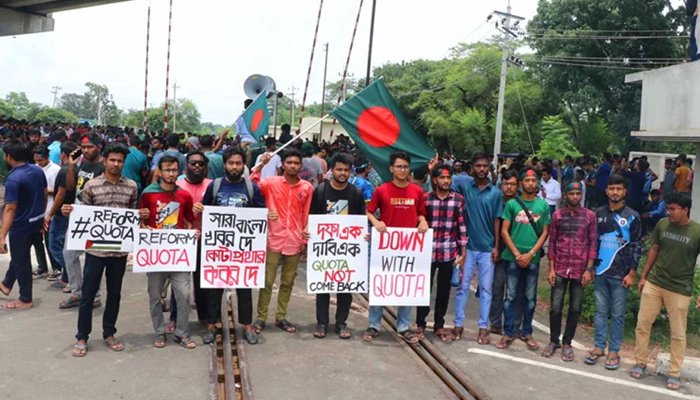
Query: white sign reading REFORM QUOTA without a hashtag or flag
point(165, 250)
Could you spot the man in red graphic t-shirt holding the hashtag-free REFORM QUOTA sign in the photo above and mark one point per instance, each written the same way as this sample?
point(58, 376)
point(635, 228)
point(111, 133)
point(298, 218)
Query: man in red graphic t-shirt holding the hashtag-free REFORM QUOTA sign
point(170, 208)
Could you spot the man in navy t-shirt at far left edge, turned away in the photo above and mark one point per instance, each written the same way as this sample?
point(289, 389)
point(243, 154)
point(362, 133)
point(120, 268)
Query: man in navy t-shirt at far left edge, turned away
point(26, 182)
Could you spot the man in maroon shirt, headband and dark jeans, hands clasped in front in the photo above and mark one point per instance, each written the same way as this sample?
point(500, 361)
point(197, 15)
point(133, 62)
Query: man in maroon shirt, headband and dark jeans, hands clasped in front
point(572, 254)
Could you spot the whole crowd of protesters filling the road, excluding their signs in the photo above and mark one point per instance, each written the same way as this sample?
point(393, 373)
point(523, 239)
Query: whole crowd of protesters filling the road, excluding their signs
point(498, 222)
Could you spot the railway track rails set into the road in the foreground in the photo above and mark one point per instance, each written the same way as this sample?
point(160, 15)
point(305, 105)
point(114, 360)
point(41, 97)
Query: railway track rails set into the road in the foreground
point(231, 368)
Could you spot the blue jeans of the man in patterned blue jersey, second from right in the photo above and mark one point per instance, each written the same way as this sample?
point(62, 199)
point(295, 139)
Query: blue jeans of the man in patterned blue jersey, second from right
point(610, 300)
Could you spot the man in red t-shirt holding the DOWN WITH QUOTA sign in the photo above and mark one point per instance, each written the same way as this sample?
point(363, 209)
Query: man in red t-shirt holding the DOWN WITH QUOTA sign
point(401, 205)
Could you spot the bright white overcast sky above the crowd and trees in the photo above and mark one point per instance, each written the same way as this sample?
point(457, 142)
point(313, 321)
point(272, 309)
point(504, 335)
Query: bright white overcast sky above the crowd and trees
point(217, 44)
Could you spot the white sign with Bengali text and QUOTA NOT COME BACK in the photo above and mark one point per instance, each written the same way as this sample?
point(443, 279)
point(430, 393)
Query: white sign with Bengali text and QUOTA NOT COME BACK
point(337, 254)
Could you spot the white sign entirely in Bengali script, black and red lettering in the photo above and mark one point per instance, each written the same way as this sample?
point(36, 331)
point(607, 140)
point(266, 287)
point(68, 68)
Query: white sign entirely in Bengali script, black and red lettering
point(234, 247)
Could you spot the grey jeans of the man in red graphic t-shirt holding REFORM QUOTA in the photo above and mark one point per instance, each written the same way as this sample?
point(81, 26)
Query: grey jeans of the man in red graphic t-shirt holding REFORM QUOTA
point(180, 283)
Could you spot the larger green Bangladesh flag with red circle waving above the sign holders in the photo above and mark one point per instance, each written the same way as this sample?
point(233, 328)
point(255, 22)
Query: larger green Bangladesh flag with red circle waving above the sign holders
point(374, 121)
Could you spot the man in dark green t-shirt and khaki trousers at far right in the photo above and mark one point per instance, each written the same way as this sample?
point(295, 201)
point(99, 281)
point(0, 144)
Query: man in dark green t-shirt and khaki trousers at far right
point(668, 280)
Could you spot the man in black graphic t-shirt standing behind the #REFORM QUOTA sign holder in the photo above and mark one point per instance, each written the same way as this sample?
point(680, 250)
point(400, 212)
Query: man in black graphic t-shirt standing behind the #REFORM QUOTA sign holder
point(75, 180)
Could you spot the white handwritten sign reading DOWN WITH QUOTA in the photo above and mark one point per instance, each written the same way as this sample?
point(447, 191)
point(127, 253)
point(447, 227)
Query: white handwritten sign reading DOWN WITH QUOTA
point(399, 271)
